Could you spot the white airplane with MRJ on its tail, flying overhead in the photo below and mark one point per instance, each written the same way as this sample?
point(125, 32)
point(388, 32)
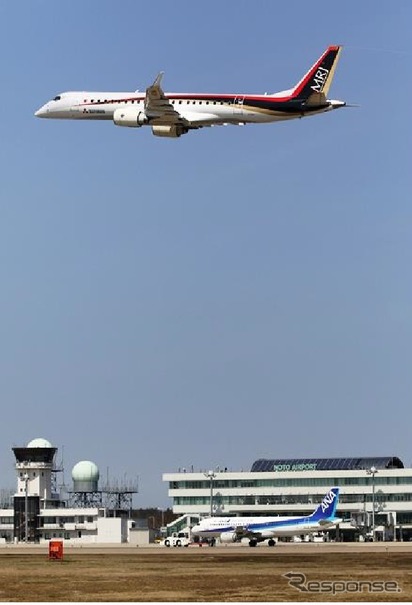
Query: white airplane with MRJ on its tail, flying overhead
point(173, 114)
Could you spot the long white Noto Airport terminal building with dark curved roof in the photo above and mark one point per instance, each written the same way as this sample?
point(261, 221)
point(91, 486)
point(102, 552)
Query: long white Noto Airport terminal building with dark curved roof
point(375, 489)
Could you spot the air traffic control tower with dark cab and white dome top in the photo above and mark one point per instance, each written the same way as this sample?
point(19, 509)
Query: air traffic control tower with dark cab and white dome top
point(35, 468)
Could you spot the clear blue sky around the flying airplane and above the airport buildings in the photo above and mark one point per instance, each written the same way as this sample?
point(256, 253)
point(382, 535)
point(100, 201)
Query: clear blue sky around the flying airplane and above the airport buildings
point(234, 294)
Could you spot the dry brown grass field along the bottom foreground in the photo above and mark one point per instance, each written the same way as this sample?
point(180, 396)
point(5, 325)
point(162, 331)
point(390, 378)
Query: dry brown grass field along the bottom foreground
point(206, 574)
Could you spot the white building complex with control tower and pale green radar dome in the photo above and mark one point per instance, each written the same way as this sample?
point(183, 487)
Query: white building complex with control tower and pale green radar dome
point(39, 514)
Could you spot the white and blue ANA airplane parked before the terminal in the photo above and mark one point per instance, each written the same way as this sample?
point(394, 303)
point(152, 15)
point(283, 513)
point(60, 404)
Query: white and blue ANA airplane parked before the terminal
point(258, 529)
